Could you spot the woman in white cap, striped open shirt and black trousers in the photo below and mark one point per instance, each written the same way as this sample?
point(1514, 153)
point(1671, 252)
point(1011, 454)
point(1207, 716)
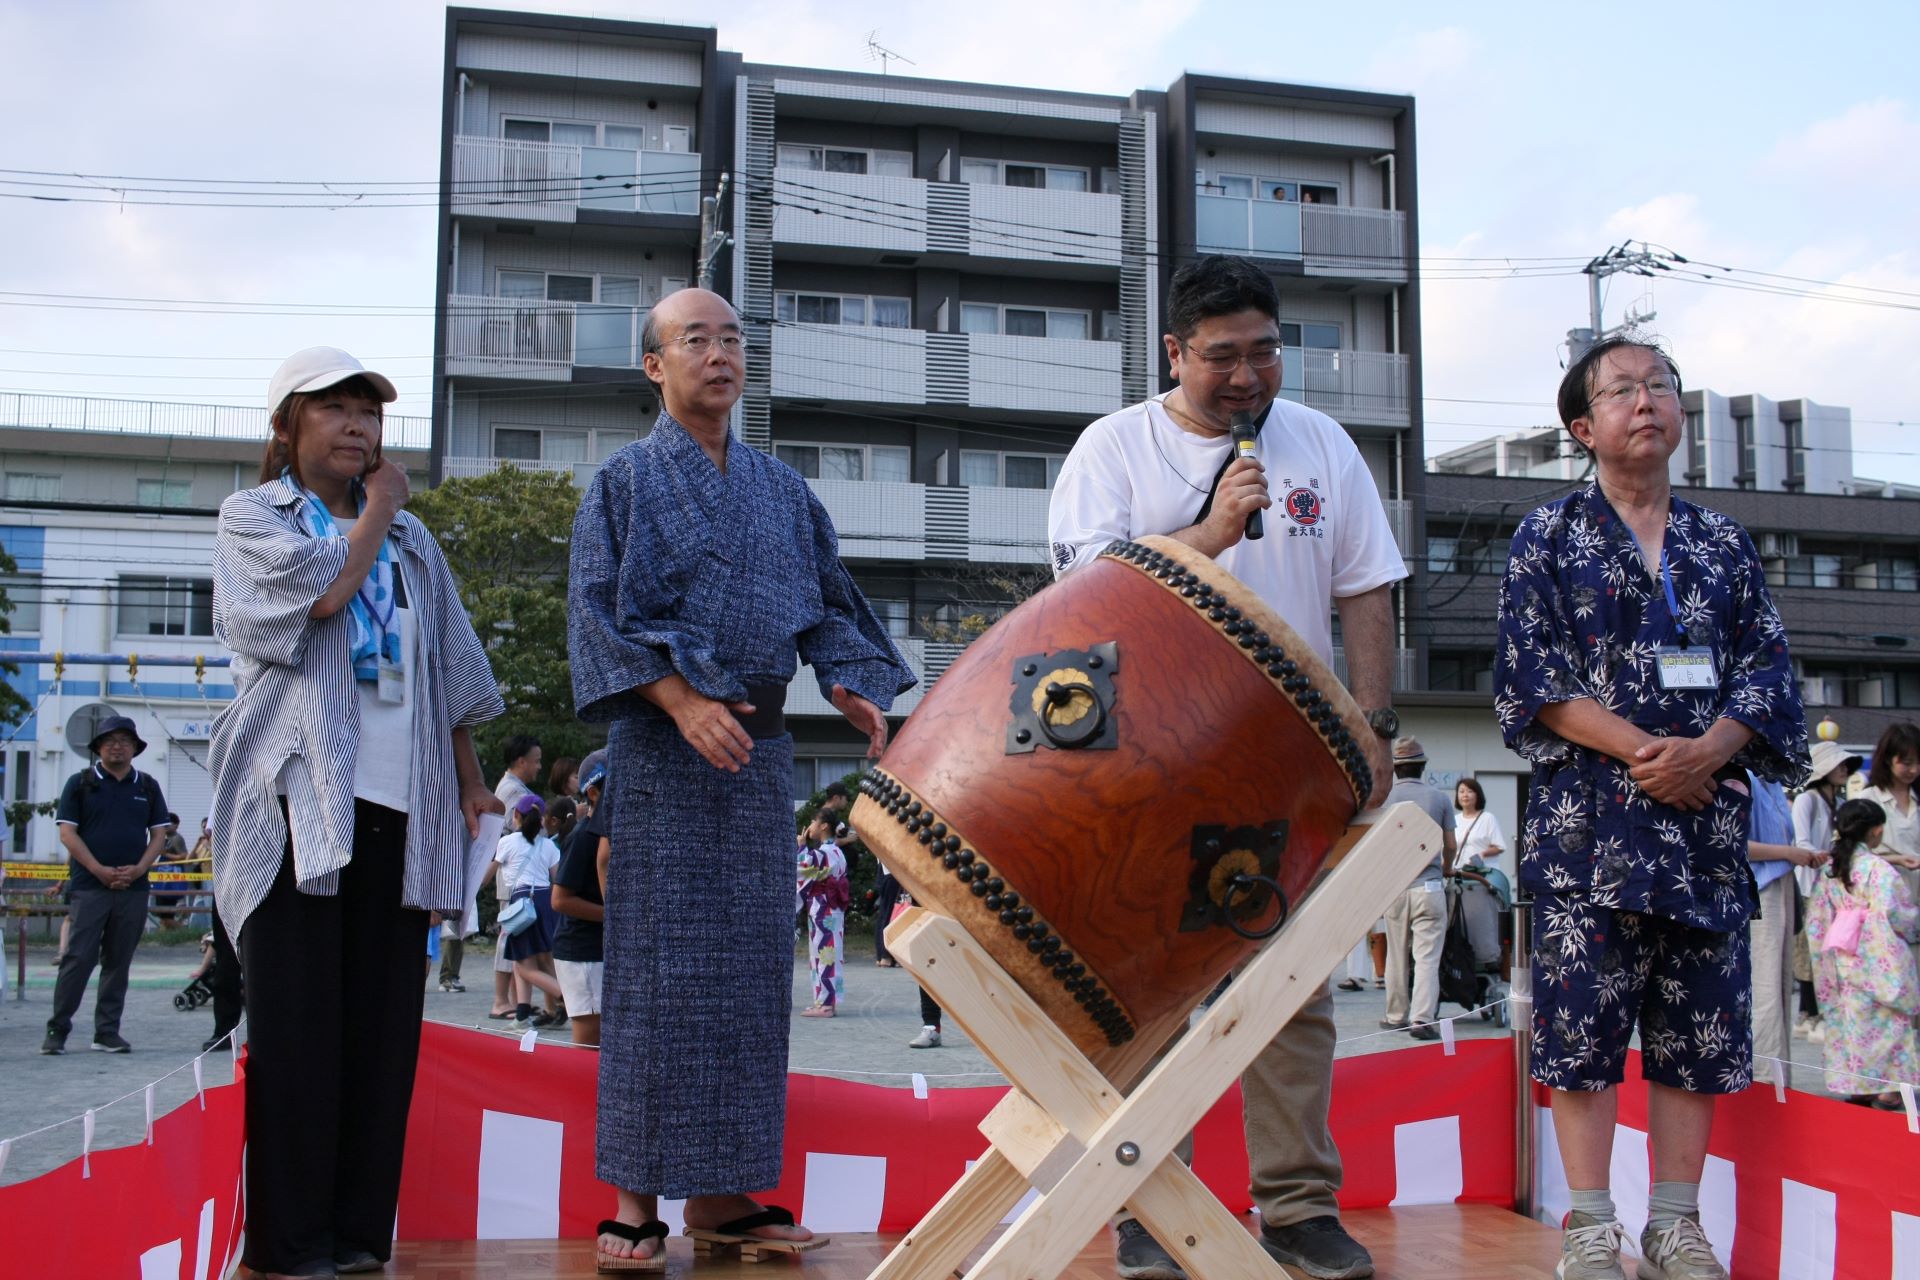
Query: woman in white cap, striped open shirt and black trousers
point(343, 772)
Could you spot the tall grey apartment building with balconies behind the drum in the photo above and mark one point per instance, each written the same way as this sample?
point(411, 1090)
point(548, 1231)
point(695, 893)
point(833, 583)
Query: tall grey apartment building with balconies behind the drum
point(942, 283)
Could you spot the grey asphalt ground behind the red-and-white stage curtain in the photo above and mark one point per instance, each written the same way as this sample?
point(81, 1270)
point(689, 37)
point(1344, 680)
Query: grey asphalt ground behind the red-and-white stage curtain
point(867, 1041)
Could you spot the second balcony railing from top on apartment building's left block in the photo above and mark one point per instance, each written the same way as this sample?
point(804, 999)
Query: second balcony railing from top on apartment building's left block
point(533, 339)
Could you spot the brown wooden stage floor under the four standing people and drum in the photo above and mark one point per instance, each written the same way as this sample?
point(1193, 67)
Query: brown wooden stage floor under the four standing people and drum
point(1429, 1243)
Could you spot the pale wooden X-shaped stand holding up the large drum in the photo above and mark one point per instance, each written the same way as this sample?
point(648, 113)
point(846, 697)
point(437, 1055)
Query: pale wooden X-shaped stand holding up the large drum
point(1072, 1133)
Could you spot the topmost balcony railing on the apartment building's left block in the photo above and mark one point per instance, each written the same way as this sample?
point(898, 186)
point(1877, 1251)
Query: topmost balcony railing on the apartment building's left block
point(544, 181)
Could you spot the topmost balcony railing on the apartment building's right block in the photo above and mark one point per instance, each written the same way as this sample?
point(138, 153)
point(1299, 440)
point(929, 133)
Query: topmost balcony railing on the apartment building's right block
point(1330, 239)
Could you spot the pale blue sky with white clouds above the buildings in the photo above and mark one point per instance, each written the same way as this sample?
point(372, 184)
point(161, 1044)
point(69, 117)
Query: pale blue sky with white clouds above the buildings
point(1765, 137)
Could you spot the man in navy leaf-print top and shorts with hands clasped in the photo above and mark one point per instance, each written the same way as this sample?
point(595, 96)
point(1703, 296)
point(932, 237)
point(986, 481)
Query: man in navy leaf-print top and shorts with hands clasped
point(1643, 671)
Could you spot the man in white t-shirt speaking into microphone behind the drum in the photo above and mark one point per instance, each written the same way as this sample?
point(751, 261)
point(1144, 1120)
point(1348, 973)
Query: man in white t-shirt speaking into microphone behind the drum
point(1163, 467)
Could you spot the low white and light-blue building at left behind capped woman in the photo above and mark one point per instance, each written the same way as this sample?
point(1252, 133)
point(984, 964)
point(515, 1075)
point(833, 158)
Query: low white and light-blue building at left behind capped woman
point(108, 511)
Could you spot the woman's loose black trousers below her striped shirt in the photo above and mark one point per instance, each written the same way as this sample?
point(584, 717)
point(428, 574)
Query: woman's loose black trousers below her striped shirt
point(335, 1007)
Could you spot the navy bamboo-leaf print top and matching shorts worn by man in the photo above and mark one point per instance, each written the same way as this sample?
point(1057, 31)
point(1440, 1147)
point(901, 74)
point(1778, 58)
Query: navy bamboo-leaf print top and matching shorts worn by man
point(1641, 911)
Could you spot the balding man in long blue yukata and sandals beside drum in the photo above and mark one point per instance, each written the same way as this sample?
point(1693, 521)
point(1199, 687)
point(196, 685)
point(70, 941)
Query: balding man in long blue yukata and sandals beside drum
point(702, 573)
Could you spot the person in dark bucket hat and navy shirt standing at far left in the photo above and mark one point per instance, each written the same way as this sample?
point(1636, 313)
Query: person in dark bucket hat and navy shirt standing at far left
point(112, 822)
